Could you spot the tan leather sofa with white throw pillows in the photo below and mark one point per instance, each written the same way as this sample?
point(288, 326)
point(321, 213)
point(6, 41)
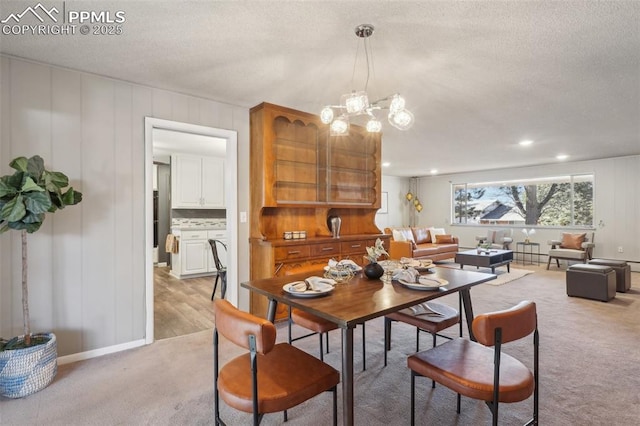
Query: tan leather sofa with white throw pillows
point(421, 243)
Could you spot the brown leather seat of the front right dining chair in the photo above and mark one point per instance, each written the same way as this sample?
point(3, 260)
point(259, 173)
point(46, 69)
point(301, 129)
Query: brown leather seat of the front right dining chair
point(466, 367)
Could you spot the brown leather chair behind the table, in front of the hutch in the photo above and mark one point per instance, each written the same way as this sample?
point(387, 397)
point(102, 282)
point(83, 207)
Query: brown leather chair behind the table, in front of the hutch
point(313, 322)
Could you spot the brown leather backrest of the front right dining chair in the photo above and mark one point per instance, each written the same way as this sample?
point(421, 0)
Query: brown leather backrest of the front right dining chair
point(516, 323)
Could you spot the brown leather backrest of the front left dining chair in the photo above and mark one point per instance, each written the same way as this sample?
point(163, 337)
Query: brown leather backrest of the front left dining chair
point(237, 326)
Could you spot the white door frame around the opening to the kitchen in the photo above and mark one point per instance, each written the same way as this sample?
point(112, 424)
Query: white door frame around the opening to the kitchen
point(186, 145)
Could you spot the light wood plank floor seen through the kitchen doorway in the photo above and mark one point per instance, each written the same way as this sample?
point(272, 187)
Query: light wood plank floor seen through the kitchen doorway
point(181, 306)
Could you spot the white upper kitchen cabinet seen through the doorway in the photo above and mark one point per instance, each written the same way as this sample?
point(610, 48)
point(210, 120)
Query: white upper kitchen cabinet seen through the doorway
point(197, 182)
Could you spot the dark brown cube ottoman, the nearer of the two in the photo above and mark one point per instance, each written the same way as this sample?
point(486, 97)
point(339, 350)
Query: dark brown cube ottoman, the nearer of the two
point(596, 282)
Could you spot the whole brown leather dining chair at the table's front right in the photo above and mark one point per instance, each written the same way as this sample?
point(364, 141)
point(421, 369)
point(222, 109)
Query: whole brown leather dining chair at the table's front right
point(476, 370)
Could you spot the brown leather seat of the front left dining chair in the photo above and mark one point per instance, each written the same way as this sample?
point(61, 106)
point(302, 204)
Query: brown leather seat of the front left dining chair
point(287, 376)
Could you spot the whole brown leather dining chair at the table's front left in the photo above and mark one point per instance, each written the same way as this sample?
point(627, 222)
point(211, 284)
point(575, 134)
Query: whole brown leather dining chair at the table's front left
point(271, 377)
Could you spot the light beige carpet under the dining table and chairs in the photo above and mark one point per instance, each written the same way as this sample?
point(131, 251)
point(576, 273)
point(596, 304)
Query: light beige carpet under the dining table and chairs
point(588, 373)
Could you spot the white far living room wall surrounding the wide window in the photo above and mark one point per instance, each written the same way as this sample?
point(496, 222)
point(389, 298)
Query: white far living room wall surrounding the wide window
point(616, 204)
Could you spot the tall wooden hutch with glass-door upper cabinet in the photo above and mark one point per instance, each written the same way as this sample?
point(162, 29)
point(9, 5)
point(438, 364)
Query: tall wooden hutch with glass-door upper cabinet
point(299, 177)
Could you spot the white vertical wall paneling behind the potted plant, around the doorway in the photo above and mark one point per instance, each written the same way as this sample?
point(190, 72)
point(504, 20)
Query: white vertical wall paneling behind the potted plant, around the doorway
point(87, 266)
